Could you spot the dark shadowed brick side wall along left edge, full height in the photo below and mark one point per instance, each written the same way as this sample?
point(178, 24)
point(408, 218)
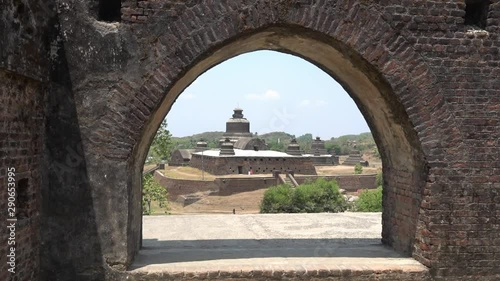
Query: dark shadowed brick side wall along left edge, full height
point(24, 65)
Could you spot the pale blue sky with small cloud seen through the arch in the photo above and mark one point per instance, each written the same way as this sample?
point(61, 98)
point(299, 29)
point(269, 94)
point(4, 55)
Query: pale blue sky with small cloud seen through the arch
point(277, 92)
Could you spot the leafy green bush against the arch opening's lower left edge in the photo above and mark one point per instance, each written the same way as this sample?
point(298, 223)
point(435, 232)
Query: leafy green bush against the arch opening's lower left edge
point(152, 191)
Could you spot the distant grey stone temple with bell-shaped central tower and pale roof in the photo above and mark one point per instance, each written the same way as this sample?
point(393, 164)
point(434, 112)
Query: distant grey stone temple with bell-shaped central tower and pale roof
point(240, 152)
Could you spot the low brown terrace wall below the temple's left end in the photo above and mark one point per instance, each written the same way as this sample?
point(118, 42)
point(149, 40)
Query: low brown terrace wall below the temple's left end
point(177, 187)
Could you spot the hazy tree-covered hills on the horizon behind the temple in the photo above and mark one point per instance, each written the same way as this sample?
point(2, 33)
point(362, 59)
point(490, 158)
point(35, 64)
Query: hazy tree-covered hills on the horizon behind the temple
point(279, 141)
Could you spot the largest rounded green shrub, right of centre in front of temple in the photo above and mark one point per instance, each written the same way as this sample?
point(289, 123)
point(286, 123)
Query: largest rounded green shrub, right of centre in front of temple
point(315, 197)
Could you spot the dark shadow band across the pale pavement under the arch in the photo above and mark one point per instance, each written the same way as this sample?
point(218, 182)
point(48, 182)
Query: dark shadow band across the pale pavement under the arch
point(163, 252)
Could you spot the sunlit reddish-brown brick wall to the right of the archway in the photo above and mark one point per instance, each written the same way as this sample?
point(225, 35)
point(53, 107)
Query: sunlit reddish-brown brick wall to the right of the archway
point(460, 201)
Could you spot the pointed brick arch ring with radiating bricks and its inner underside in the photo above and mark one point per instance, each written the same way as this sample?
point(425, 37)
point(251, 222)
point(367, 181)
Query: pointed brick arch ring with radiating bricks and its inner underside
point(391, 84)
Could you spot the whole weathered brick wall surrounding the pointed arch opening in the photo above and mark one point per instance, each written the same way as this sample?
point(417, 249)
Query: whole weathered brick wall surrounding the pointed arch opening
point(427, 86)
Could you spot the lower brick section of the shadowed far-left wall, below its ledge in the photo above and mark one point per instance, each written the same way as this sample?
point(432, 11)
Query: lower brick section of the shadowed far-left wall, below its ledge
point(21, 144)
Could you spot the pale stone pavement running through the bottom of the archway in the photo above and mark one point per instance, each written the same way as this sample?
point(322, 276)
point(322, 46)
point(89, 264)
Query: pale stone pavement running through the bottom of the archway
point(345, 245)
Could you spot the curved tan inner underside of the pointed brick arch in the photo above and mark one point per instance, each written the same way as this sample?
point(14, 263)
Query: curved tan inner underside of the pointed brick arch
point(402, 156)
